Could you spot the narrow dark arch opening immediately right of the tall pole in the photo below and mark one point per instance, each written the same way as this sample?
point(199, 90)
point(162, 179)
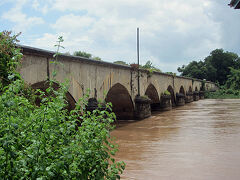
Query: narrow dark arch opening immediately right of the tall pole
point(152, 93)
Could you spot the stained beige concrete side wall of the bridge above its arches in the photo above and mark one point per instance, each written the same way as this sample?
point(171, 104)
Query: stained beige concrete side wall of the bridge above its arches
point(99, 77)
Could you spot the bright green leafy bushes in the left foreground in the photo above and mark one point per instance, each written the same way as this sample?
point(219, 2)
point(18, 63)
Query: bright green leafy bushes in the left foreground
point(44, 142)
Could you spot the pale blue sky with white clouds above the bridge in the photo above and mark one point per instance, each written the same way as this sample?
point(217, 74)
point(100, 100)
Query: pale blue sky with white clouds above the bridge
point(172, 32)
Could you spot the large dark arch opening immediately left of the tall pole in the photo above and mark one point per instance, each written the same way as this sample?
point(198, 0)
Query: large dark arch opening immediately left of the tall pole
point(121, 100)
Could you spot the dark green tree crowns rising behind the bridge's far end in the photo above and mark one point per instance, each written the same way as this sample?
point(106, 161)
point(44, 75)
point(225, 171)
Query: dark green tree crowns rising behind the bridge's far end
point(215, 67)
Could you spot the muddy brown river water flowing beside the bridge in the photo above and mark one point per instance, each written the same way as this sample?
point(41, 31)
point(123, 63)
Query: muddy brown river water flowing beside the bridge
point(200, 140)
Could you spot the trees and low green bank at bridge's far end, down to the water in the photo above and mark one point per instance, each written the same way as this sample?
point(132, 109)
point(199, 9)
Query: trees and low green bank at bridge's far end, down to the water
point(220, 67)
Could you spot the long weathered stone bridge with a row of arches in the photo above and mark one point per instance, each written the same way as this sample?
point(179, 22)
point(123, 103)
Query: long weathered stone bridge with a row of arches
point(111, 82)
